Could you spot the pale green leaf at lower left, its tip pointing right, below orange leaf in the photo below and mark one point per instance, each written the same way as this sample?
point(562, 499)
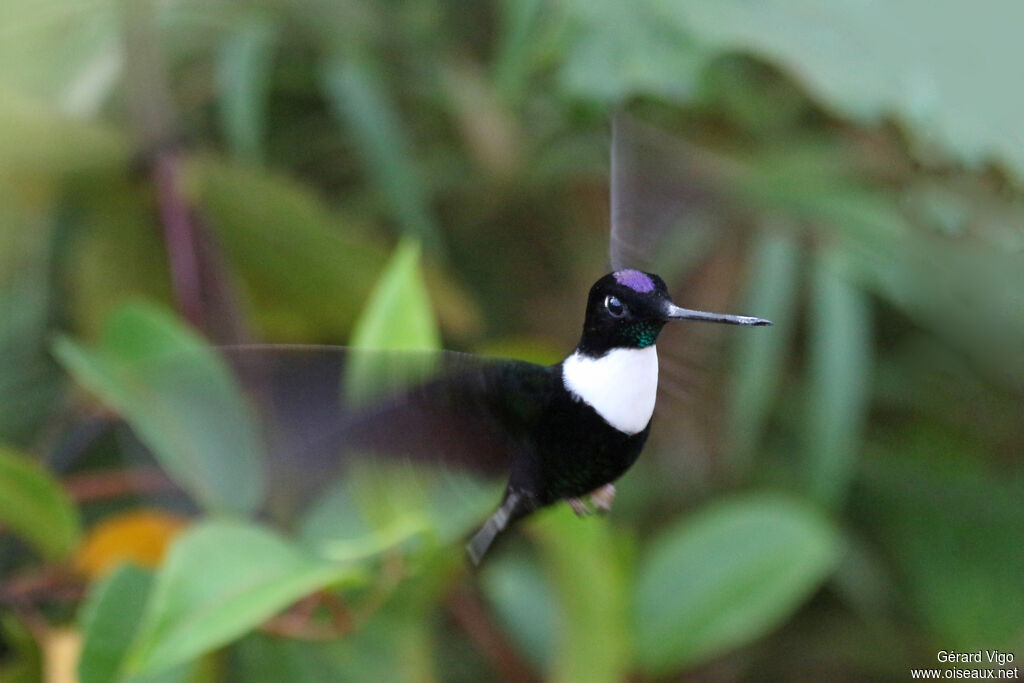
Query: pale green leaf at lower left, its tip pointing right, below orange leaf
point(221, 581)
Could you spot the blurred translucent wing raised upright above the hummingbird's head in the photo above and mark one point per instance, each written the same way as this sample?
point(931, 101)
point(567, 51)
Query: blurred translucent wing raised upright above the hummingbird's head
point(656, 181)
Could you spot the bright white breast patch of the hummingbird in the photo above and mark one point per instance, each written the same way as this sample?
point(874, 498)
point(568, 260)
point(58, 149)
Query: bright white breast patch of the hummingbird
point(621, 386)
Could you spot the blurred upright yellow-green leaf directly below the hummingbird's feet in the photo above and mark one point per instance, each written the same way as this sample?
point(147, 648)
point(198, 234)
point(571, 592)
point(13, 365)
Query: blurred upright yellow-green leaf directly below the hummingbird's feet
point(589, 567)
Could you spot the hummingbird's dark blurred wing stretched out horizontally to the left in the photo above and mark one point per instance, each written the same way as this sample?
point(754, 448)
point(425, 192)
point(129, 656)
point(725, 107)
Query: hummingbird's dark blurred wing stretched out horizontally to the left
point(322, 408)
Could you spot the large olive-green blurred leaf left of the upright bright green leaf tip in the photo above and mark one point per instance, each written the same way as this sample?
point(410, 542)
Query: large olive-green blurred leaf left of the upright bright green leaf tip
point(303, 266)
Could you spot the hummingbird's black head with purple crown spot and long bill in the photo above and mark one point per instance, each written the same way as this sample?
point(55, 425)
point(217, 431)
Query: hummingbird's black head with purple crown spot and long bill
point(628, 310)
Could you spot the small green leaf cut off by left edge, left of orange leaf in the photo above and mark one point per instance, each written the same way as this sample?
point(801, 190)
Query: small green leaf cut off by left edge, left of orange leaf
point(34, 506)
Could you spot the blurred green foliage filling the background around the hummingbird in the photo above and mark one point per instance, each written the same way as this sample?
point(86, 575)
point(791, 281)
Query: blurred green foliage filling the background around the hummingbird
point(838, 497)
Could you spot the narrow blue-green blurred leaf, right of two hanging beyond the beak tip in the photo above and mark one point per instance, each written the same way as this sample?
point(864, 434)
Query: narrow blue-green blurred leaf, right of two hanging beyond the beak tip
point(840, 367)
